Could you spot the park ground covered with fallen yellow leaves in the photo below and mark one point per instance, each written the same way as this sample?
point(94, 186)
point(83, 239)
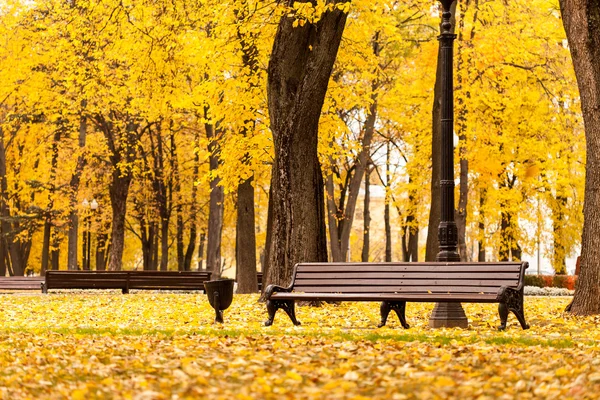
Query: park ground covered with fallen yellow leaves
point(88, 345)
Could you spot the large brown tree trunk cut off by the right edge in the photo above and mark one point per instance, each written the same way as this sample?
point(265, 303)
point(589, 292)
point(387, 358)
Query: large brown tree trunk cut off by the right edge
point(582, 24)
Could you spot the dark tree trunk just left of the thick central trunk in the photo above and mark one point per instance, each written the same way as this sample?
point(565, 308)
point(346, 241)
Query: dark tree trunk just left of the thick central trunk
point(246, 239)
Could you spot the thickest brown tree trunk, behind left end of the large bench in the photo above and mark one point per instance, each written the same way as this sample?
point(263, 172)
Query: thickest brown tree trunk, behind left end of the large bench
point(299, 71)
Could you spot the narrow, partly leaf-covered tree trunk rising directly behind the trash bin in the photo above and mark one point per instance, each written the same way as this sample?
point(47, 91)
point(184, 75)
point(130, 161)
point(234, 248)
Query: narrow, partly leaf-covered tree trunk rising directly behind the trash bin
point(217, 198)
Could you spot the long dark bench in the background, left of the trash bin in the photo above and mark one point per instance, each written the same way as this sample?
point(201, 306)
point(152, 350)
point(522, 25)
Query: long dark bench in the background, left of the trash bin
point(126, 280)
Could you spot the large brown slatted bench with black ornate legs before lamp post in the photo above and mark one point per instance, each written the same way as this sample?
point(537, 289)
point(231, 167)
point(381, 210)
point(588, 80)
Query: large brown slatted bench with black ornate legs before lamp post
point(394, 284)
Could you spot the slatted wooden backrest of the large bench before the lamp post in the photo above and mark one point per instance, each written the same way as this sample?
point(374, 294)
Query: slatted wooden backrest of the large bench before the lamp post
point(431, 277)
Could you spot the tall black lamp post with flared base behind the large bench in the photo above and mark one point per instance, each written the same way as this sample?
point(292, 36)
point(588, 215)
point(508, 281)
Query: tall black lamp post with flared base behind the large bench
point(447, 314)
